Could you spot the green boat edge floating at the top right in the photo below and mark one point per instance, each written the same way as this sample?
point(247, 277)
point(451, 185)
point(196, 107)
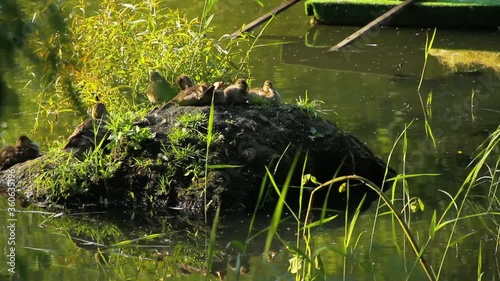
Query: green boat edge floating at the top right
point(470, 14)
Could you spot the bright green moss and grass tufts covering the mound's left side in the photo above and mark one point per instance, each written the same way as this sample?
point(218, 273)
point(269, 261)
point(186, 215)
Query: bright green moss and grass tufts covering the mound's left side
point(181, 161)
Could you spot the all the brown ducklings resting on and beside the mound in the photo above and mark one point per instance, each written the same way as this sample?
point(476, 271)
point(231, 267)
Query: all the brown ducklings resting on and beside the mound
point(157, 91)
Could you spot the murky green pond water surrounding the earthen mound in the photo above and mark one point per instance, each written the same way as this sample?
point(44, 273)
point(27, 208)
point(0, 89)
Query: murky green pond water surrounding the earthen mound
point(369, 90)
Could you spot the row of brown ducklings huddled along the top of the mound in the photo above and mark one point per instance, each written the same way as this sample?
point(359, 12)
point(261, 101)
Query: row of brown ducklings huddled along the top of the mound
point(202, 94)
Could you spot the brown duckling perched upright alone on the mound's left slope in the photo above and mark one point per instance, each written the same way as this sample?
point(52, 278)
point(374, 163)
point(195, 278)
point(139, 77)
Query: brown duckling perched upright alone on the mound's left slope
point(84, 134)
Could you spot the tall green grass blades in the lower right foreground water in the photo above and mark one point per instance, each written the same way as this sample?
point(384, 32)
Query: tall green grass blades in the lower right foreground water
point(306, 261)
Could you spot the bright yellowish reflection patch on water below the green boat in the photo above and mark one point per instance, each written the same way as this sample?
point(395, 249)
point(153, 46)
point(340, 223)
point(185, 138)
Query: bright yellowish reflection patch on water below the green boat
point(457, 60)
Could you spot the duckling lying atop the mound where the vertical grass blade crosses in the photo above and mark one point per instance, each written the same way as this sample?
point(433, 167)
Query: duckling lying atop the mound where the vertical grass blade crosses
point(200, 95)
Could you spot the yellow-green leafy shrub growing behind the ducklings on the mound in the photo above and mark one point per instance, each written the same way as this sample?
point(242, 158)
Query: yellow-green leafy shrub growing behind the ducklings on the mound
point(113, 51)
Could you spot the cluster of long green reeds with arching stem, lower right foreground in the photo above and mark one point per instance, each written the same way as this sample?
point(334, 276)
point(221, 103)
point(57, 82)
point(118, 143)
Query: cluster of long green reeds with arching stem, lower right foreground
point(447, 230)
